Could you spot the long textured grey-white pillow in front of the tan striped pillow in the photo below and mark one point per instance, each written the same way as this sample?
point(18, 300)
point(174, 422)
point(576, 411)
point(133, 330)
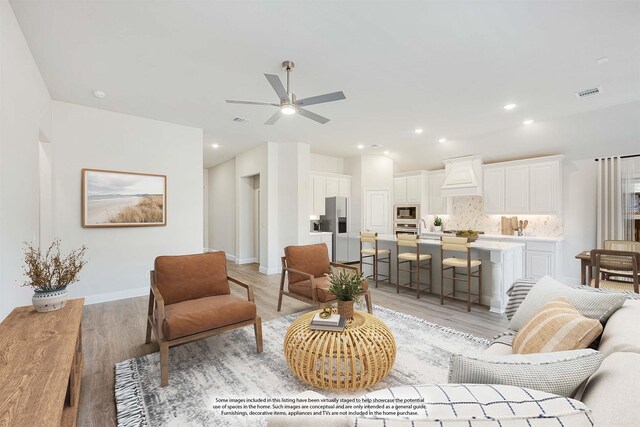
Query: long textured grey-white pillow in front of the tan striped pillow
point(560, 372)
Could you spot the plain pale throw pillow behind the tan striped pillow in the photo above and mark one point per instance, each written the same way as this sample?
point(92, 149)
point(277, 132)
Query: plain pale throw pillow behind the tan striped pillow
point(594, 305)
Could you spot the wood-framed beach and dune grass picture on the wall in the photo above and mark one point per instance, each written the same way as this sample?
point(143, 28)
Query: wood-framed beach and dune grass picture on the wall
point(123, 199)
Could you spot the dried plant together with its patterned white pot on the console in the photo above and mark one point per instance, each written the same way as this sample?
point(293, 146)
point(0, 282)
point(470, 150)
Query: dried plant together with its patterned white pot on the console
point(50, 273)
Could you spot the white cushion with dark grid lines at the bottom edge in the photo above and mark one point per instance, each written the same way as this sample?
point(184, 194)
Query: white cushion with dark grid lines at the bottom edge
point(454, 405)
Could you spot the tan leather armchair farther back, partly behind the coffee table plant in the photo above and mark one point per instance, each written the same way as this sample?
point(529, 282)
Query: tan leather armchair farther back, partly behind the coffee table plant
point(305, 268)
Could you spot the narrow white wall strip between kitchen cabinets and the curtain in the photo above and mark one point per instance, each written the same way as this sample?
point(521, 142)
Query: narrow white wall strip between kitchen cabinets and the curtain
point(579, 211)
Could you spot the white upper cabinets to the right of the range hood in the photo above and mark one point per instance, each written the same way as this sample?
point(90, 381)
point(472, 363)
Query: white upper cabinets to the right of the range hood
point(531, 186)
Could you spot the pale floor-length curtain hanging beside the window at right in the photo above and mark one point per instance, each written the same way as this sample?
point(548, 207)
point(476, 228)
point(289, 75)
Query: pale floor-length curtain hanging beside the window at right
point(610, 223)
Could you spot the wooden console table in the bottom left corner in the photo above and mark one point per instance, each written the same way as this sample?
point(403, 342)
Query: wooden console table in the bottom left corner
point(41, 366)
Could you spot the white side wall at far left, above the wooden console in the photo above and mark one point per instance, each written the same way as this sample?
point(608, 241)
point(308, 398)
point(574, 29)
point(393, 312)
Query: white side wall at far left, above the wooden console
point(25, 118)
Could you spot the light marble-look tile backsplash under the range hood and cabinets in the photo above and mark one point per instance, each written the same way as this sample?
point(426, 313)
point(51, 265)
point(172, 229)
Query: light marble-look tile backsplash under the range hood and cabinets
point(466, 212)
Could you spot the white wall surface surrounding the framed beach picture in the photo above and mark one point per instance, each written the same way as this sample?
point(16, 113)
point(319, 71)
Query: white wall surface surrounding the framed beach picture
point(120, 258)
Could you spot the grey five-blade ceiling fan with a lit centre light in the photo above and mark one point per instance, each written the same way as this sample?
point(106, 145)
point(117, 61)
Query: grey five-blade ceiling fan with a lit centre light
point(288, 103)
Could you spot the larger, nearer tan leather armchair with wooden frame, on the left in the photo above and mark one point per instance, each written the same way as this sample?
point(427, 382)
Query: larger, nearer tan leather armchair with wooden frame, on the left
point(190, 299)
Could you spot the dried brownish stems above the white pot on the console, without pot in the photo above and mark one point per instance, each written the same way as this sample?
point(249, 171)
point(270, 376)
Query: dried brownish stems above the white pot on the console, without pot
point(49, 271)
